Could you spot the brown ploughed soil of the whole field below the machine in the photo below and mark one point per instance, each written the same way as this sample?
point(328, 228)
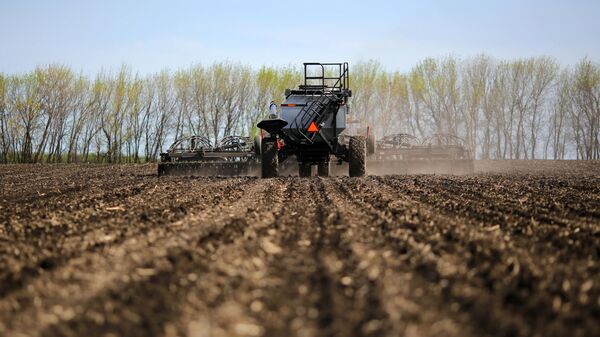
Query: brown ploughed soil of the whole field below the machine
point(95, 250)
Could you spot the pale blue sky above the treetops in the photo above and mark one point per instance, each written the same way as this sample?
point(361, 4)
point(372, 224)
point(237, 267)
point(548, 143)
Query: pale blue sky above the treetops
point(154, 35)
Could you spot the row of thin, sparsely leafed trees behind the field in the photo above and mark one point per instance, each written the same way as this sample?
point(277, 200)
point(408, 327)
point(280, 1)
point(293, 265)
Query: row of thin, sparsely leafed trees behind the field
point(504, 109)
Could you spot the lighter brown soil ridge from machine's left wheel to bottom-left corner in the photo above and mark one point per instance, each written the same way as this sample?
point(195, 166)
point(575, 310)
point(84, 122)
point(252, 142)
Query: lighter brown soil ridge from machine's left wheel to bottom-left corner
point(125, 258)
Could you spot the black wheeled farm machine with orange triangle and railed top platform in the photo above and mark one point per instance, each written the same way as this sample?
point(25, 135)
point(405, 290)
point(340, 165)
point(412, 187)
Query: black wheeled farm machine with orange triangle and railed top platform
point(309, 125)
